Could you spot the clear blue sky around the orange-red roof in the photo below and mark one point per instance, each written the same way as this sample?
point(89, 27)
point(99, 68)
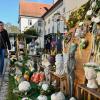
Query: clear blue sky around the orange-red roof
point(9, 10)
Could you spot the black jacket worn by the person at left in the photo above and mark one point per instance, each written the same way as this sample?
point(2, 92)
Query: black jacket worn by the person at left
point(6, 42)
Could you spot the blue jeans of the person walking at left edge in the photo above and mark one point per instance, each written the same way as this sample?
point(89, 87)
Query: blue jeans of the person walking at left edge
point(2, 55)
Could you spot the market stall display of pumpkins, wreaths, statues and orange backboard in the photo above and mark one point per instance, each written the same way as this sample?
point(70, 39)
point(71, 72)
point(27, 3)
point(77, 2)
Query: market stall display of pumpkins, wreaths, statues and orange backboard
point(70, 64)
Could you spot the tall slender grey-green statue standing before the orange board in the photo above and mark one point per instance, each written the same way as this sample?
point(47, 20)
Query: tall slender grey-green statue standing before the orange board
point(70, 67)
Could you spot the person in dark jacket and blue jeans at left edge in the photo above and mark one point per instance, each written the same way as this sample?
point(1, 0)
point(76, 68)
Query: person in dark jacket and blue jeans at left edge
point(4, 44)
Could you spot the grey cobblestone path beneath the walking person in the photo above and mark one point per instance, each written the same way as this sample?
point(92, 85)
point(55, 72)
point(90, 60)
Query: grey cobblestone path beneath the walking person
point(4, 81)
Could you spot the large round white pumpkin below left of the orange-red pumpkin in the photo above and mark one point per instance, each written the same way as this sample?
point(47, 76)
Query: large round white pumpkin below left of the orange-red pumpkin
point(24, 86)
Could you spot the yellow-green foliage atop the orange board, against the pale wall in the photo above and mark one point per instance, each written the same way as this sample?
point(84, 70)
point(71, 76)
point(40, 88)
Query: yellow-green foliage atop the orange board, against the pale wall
point(78, 15)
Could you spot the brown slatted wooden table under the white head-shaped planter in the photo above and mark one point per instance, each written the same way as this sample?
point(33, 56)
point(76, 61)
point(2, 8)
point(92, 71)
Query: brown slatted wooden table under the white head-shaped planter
point(85, 93)
